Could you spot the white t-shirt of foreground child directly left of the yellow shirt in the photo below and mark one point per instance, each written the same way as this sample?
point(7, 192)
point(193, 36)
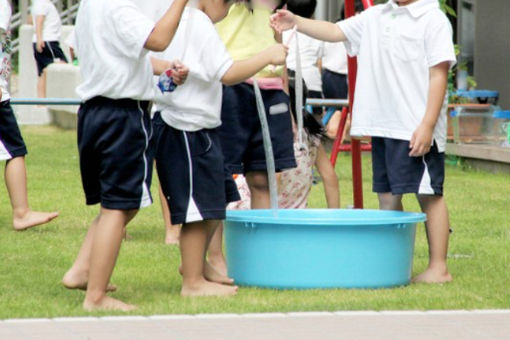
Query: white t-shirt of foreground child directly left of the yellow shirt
point(196, 104)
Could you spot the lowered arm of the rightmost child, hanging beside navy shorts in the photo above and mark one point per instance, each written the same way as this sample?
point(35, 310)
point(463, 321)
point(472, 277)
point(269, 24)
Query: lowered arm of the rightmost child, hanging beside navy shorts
point(422, 137)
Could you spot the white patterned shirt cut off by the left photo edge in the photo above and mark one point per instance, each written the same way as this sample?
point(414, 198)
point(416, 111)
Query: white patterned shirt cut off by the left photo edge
point(5, 46)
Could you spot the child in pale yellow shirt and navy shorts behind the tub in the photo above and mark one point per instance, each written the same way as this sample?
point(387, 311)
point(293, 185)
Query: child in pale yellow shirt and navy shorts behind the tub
point(245, 33)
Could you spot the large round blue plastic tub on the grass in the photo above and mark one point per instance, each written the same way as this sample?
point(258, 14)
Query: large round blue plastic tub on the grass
point(320, 248)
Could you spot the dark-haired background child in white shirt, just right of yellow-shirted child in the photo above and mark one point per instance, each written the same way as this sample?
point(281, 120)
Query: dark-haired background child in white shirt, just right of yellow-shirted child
point(310, 51)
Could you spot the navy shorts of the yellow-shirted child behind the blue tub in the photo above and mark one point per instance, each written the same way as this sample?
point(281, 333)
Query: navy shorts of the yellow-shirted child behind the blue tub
point(241, 133)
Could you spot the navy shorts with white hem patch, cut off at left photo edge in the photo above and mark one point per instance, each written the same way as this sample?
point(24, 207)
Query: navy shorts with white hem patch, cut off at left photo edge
point(11, 142)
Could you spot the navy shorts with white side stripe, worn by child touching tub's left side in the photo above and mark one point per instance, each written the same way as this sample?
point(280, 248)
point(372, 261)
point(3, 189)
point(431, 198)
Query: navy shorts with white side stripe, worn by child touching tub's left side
point(192, 173)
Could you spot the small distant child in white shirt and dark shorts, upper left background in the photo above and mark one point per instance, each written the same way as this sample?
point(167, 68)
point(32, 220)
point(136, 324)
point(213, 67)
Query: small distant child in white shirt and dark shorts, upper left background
point(47, 31)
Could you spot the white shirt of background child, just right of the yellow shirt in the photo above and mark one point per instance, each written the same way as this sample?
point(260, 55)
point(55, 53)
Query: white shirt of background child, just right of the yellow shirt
point(310, 51)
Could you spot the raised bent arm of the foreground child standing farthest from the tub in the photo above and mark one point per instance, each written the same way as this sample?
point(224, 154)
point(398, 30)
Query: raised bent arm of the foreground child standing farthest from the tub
point(165, 28)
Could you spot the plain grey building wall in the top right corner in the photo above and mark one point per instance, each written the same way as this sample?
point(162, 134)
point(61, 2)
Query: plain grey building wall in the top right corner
point(492, 48)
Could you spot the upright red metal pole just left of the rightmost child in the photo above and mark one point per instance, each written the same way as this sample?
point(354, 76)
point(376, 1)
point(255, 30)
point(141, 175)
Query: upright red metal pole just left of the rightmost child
point(357, 180)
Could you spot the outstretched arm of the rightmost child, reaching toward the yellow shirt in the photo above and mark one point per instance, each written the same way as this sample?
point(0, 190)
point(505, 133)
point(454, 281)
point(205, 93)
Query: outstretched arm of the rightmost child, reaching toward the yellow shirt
point(284, 20)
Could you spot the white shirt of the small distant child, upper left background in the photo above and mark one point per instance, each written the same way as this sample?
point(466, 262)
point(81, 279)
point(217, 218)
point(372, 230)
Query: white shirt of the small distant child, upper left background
point(52, 26)
